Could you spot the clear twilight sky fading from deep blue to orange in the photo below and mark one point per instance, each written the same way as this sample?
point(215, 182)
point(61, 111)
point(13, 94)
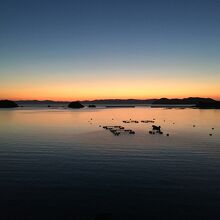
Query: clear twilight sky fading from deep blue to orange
point(97, 49)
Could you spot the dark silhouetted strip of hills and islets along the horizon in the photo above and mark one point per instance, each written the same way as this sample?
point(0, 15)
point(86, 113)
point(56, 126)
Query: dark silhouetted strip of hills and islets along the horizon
point(196, 102)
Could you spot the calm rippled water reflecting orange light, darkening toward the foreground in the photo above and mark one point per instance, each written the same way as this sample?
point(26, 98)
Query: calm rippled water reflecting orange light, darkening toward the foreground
point(59, 164)
